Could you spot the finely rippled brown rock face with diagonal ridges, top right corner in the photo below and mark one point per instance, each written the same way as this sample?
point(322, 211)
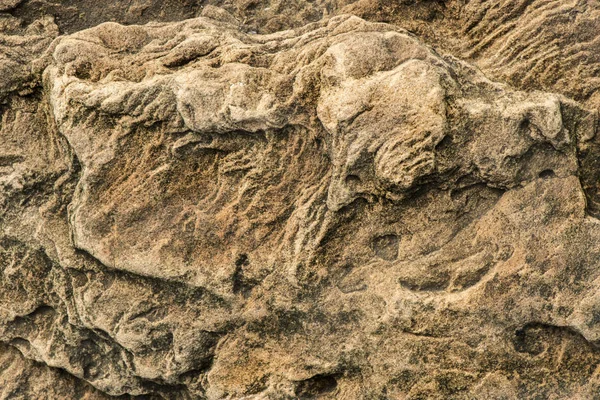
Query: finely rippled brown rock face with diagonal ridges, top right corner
point(540, 43)
